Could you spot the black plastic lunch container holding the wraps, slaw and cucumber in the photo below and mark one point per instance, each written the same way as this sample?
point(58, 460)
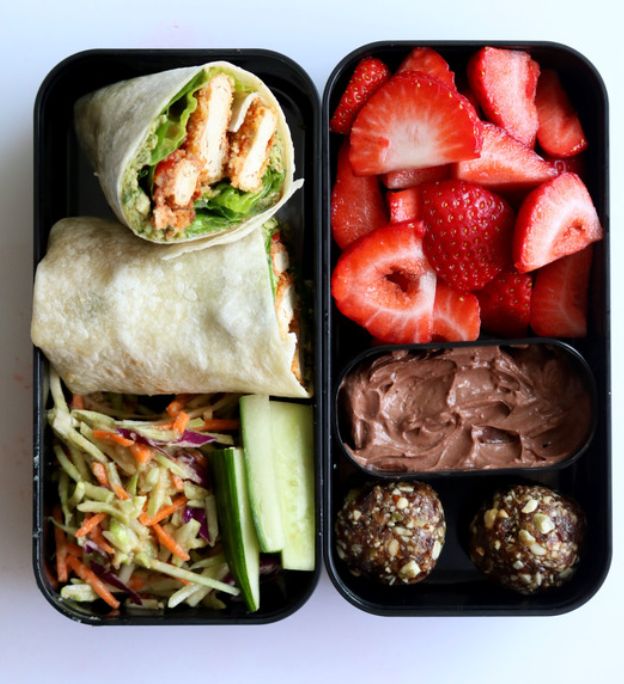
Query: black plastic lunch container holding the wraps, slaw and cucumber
point(64, 185)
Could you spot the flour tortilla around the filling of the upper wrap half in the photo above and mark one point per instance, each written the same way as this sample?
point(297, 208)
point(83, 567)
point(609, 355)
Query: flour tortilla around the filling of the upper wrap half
point(114, 123)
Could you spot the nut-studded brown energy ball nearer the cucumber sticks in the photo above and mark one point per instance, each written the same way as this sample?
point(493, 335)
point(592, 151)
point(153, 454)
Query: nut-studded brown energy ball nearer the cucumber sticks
point(392, 533)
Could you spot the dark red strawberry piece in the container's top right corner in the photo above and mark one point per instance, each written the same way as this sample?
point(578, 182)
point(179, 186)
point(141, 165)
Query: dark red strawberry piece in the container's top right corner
point(560, 132)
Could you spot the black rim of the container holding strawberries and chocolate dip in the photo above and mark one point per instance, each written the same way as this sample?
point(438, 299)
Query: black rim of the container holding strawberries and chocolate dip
point(456, 611)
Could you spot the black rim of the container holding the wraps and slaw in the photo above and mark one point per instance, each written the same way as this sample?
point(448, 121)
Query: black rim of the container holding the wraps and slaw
point(39, 361)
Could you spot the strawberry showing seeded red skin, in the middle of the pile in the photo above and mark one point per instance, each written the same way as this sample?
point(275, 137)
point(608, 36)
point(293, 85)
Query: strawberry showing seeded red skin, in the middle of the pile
point(469, 232)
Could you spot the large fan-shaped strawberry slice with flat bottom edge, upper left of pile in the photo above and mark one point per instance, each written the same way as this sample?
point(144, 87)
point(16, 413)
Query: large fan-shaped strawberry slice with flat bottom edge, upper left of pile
point(413, 121)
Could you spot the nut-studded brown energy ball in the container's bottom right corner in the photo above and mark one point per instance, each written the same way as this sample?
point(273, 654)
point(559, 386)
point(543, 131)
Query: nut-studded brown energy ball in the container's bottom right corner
point(528, 538)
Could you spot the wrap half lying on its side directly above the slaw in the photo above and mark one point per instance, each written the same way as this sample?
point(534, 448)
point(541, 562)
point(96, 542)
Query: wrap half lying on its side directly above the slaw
point(112, 315)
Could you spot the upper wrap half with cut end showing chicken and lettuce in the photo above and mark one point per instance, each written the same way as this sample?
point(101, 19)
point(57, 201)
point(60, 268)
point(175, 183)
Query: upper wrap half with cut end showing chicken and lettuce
point(196, 153)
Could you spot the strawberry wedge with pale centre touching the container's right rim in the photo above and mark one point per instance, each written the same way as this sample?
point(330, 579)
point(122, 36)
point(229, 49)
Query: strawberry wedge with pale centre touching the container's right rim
point(556, 219)
